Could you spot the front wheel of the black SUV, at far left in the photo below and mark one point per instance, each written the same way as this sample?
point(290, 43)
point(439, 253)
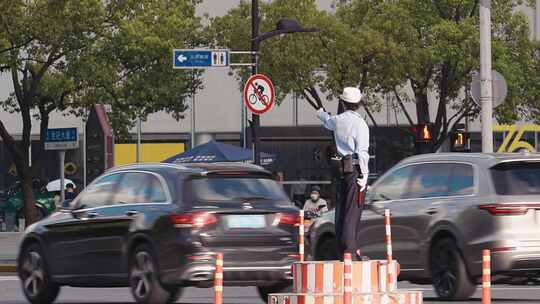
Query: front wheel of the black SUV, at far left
point(34, 274)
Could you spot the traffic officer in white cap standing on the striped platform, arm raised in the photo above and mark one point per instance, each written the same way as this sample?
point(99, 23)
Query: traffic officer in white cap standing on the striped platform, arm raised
point(351, 135)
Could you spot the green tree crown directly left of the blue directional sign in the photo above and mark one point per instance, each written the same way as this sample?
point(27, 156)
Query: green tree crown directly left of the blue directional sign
point(130, 66)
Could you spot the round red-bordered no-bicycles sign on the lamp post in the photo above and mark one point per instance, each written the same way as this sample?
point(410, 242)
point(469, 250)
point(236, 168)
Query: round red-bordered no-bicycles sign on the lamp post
point(259, 94)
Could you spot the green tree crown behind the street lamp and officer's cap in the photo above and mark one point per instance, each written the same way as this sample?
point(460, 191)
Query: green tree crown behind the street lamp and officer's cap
point(347, 51)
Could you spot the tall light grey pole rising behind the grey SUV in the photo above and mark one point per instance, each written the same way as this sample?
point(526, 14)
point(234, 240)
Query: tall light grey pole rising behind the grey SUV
point(486, 90)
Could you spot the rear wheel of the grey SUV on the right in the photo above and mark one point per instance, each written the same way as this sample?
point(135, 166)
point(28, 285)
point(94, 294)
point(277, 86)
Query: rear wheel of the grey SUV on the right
point(449, 274)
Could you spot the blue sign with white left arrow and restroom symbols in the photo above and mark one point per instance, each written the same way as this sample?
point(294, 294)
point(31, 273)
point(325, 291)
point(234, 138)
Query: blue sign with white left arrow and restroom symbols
point(199, 59)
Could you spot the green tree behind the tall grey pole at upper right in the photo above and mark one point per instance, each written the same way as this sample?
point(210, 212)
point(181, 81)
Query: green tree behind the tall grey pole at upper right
point(438, 49)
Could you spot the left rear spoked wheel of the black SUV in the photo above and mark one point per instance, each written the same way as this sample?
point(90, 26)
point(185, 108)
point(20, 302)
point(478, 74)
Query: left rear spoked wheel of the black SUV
point(143, 278)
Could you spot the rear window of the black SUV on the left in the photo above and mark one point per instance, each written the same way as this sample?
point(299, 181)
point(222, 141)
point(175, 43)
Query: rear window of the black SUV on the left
point(235, 189)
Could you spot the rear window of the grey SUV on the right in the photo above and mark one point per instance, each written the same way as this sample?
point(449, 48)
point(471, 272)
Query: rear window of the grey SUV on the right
point(517, 178)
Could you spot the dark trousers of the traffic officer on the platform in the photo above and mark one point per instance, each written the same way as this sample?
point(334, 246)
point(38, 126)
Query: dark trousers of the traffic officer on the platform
point(348, 214)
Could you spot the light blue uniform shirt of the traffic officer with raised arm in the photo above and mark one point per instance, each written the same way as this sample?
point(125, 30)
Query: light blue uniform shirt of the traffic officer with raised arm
point(351, 134)
